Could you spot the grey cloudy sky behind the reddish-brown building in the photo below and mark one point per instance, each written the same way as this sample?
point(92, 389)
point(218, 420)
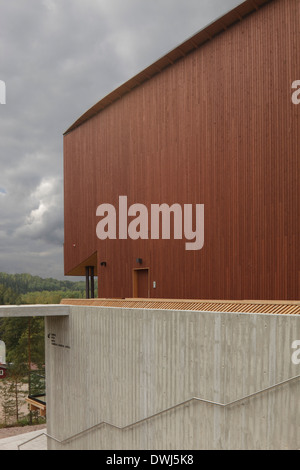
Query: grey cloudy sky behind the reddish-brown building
point(57, 59)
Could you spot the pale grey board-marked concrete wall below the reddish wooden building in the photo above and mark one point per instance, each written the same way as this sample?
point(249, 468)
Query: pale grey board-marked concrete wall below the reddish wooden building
point(120, 366)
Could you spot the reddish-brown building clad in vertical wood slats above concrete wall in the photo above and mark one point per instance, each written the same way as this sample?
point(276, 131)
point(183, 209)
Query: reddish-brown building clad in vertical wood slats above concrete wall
point(211, 123)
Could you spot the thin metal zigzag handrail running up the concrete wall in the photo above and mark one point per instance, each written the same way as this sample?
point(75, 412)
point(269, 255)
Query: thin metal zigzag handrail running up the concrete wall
point(185, 402)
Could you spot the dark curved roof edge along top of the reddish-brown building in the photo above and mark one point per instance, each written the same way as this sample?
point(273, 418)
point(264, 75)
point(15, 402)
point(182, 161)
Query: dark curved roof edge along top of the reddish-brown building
point(234, 16)
